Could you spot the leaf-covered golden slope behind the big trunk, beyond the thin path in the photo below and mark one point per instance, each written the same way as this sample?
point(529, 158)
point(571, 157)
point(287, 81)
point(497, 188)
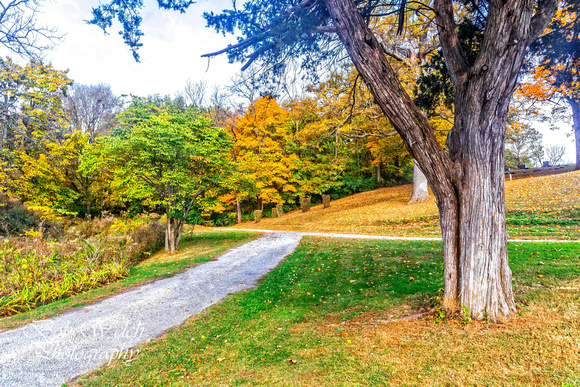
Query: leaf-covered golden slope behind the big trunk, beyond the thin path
point(543, 207)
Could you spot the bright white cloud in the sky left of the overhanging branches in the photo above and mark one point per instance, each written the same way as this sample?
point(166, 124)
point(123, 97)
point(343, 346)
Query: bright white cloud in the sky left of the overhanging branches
point(172, 47)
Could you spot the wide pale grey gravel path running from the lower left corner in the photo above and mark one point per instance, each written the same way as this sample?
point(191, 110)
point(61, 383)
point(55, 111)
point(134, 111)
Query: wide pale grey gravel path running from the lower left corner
point(52, 351)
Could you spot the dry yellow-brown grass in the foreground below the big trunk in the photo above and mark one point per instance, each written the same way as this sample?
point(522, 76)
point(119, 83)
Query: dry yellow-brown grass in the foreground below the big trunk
point(540, 347)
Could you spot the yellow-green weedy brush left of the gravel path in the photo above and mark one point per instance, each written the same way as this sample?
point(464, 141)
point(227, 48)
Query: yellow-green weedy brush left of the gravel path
point(35, 271)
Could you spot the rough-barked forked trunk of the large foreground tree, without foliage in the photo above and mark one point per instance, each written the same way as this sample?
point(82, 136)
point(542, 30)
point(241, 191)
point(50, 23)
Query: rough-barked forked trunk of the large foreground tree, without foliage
point(469, 182)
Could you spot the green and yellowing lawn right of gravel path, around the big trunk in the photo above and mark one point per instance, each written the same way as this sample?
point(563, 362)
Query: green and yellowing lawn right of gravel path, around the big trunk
point(322, 317)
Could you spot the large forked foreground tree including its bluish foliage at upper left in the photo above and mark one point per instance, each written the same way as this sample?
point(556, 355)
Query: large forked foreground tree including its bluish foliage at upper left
point(468, 178)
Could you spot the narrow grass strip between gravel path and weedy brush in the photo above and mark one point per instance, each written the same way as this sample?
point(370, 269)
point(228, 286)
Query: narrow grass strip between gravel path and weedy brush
point(197, 247)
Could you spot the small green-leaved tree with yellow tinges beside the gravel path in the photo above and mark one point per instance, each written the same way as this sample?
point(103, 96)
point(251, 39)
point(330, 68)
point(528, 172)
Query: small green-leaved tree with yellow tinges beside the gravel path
point(169, 156)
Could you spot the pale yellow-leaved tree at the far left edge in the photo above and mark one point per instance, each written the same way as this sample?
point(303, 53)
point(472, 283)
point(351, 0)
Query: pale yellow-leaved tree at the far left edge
point(31, 117)
